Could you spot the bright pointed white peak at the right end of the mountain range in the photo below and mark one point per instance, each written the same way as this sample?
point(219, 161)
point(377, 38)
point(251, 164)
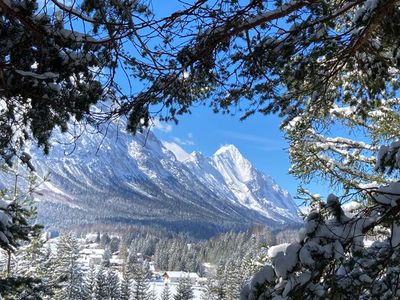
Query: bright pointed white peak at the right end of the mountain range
point(233, 177)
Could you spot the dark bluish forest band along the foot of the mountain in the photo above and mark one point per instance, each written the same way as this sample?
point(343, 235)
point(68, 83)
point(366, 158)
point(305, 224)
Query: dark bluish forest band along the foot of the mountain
point(91, 211)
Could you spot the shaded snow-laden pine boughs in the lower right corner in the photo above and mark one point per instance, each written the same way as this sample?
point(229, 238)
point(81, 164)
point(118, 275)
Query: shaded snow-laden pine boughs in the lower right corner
point(333, 256)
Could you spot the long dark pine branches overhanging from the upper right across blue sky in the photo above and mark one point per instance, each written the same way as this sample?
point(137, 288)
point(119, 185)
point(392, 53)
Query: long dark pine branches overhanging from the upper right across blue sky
point(234, 56)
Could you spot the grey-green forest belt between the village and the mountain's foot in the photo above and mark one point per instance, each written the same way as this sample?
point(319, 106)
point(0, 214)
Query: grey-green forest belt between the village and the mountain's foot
point(183, 253)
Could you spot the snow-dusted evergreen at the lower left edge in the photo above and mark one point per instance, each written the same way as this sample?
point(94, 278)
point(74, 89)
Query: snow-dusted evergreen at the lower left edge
point(21, 279)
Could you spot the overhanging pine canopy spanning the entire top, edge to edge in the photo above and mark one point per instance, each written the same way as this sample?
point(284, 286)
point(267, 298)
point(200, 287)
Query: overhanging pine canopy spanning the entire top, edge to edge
point(233, 52)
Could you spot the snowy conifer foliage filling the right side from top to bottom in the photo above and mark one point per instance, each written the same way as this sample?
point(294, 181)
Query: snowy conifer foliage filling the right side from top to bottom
point(340, 254)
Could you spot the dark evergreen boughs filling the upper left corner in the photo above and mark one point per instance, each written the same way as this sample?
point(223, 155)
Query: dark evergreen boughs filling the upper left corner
point(51, 68)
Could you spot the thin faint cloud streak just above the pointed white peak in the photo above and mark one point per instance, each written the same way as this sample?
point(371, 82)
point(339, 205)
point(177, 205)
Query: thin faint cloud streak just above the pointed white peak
point(267, 144)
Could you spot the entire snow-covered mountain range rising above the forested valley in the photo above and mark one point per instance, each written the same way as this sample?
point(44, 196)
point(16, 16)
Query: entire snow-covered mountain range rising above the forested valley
point(121, 178)
